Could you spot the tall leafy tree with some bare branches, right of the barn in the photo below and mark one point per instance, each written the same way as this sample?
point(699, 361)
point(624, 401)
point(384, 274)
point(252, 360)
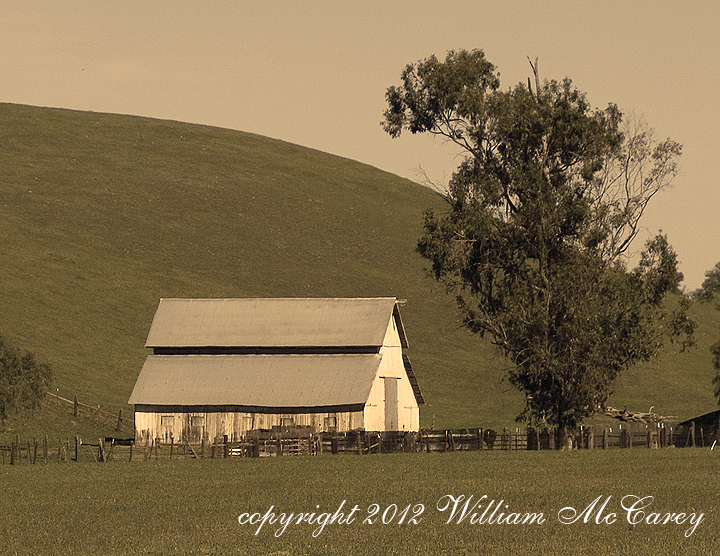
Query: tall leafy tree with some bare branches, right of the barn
point(541, 213)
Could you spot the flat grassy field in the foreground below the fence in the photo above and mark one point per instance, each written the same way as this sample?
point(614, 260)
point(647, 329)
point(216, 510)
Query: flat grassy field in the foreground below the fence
point(191, 507)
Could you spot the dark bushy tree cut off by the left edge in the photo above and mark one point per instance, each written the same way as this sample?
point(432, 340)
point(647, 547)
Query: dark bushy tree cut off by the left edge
point(23, 380)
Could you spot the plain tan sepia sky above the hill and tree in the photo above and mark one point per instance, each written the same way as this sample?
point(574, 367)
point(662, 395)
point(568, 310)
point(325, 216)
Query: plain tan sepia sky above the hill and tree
point(316, 73)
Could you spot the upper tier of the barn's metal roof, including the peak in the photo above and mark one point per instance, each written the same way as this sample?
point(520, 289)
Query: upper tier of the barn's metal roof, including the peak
point(273, 322)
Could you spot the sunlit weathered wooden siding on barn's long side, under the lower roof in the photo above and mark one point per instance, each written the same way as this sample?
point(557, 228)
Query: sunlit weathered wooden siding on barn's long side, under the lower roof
point(195, 424)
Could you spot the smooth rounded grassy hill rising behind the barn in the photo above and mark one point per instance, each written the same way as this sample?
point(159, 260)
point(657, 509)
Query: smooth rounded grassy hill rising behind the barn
point(102, 215)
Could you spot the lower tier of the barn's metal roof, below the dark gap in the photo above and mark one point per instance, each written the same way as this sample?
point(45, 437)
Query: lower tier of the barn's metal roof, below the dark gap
point(256, 380)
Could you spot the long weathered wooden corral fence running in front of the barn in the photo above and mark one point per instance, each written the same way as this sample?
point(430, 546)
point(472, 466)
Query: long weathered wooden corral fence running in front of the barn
point(292, 441)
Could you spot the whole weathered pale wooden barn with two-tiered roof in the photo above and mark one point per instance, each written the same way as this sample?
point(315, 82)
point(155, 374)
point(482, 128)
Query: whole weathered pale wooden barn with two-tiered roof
point(224, 367)
